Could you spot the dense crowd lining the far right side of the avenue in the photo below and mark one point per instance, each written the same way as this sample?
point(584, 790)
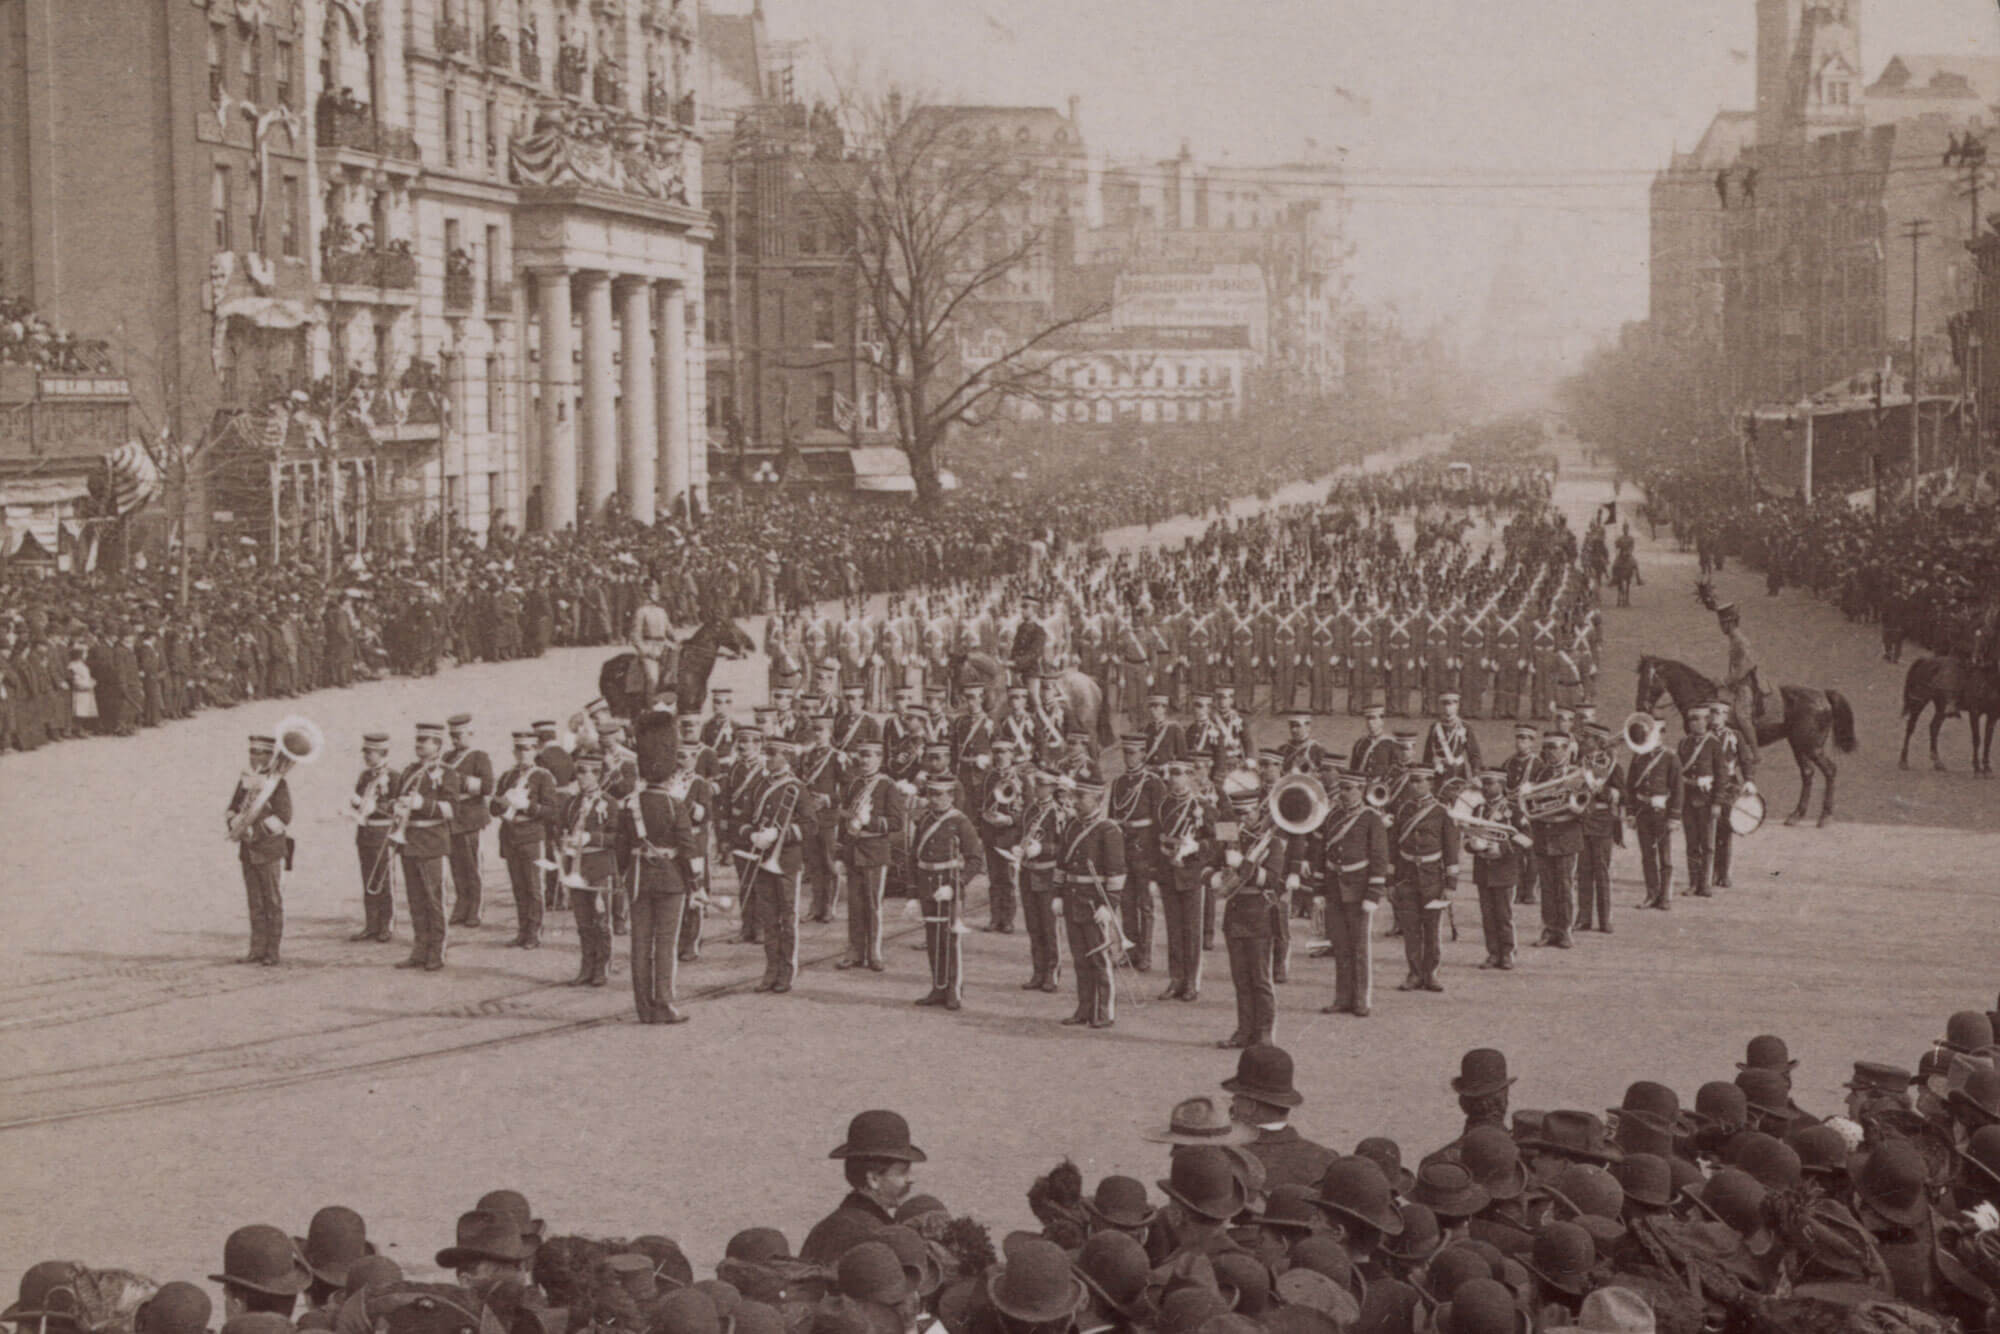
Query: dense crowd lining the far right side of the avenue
point(1925, 575)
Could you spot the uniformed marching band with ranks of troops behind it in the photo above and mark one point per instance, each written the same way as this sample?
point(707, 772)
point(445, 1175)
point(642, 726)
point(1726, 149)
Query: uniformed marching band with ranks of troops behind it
point(819, 797)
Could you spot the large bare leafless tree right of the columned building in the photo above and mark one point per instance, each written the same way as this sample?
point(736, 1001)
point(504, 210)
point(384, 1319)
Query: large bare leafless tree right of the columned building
point(943, 225)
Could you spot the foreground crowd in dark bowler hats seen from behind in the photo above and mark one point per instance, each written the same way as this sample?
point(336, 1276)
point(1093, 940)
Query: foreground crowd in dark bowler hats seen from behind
point(1735, 1213)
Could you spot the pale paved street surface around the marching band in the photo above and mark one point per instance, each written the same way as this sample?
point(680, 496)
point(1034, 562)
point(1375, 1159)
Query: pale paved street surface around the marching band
point(205, 1095)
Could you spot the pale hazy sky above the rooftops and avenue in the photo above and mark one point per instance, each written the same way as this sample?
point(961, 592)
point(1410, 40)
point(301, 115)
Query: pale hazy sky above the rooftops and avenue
point(1445, 107)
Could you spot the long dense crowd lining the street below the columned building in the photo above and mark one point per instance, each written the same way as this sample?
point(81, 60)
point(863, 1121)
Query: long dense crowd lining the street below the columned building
point(115, 653)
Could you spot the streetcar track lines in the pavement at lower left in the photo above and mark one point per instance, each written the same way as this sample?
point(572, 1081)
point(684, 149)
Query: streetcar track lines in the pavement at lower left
point(289, 1071)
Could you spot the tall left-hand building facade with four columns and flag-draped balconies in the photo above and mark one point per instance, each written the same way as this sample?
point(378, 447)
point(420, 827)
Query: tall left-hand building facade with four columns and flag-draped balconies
point(409, 259)
